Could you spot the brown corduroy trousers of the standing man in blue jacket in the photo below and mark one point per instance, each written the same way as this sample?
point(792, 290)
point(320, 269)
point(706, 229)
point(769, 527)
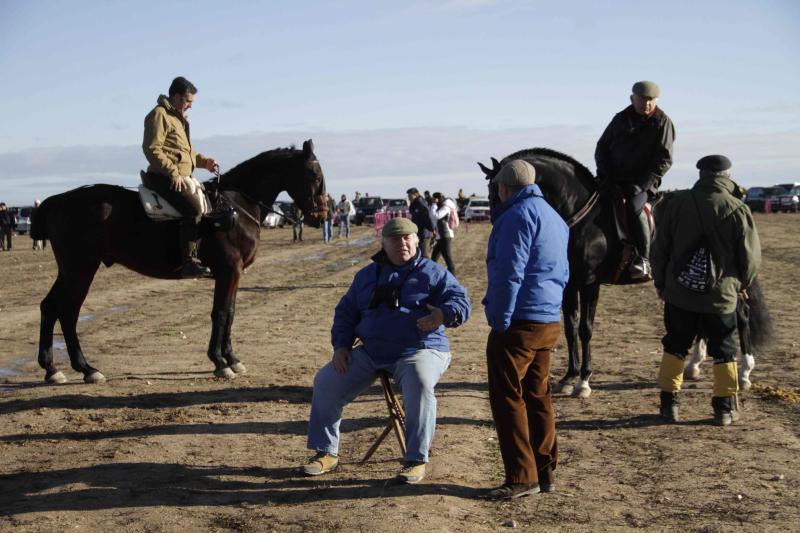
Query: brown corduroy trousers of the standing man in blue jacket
point(518, 361)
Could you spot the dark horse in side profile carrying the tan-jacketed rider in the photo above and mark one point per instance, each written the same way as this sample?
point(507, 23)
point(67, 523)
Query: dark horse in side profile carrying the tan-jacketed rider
point(107, 224)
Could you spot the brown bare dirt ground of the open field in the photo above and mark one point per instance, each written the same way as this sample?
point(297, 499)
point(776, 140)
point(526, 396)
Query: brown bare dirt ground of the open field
point(163, 446)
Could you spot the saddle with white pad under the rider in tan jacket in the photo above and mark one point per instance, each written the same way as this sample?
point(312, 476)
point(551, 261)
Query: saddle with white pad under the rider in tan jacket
point(216, 213)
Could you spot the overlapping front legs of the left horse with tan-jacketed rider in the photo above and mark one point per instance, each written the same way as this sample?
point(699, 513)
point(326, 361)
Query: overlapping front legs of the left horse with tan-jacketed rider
point(221, 321)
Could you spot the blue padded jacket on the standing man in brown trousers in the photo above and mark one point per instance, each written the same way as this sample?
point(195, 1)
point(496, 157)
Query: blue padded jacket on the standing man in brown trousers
point(526, 261)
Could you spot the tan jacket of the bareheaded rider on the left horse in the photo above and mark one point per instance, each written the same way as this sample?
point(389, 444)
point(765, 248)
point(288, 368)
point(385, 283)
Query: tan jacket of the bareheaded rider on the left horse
point(167, 144)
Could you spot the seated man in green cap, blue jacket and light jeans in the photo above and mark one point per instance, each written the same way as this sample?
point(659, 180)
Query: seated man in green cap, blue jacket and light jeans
point(399, 307)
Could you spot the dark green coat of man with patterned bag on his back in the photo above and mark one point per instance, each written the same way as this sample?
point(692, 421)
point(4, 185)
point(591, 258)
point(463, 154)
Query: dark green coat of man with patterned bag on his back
point(734, 242)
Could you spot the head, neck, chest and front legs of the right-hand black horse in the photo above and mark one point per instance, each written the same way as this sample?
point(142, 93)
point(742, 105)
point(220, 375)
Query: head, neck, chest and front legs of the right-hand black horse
point(595, 248)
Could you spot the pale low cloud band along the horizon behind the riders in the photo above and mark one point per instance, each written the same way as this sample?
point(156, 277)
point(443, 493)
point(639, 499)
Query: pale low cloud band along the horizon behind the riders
point(388, 161)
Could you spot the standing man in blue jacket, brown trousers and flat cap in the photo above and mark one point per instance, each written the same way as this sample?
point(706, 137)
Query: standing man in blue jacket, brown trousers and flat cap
point(527, 268)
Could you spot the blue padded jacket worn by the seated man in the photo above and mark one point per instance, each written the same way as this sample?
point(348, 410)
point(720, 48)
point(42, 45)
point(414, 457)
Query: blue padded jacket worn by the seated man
point(390, 334)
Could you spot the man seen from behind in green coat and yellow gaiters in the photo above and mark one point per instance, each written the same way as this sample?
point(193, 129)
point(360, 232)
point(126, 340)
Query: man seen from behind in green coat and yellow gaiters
point(705, 255)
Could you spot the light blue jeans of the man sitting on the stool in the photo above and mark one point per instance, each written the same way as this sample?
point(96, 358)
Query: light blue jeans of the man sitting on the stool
point(416, 375)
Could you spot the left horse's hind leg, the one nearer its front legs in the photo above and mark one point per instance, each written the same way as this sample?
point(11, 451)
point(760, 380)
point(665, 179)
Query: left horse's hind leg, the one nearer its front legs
point(73, 292)
